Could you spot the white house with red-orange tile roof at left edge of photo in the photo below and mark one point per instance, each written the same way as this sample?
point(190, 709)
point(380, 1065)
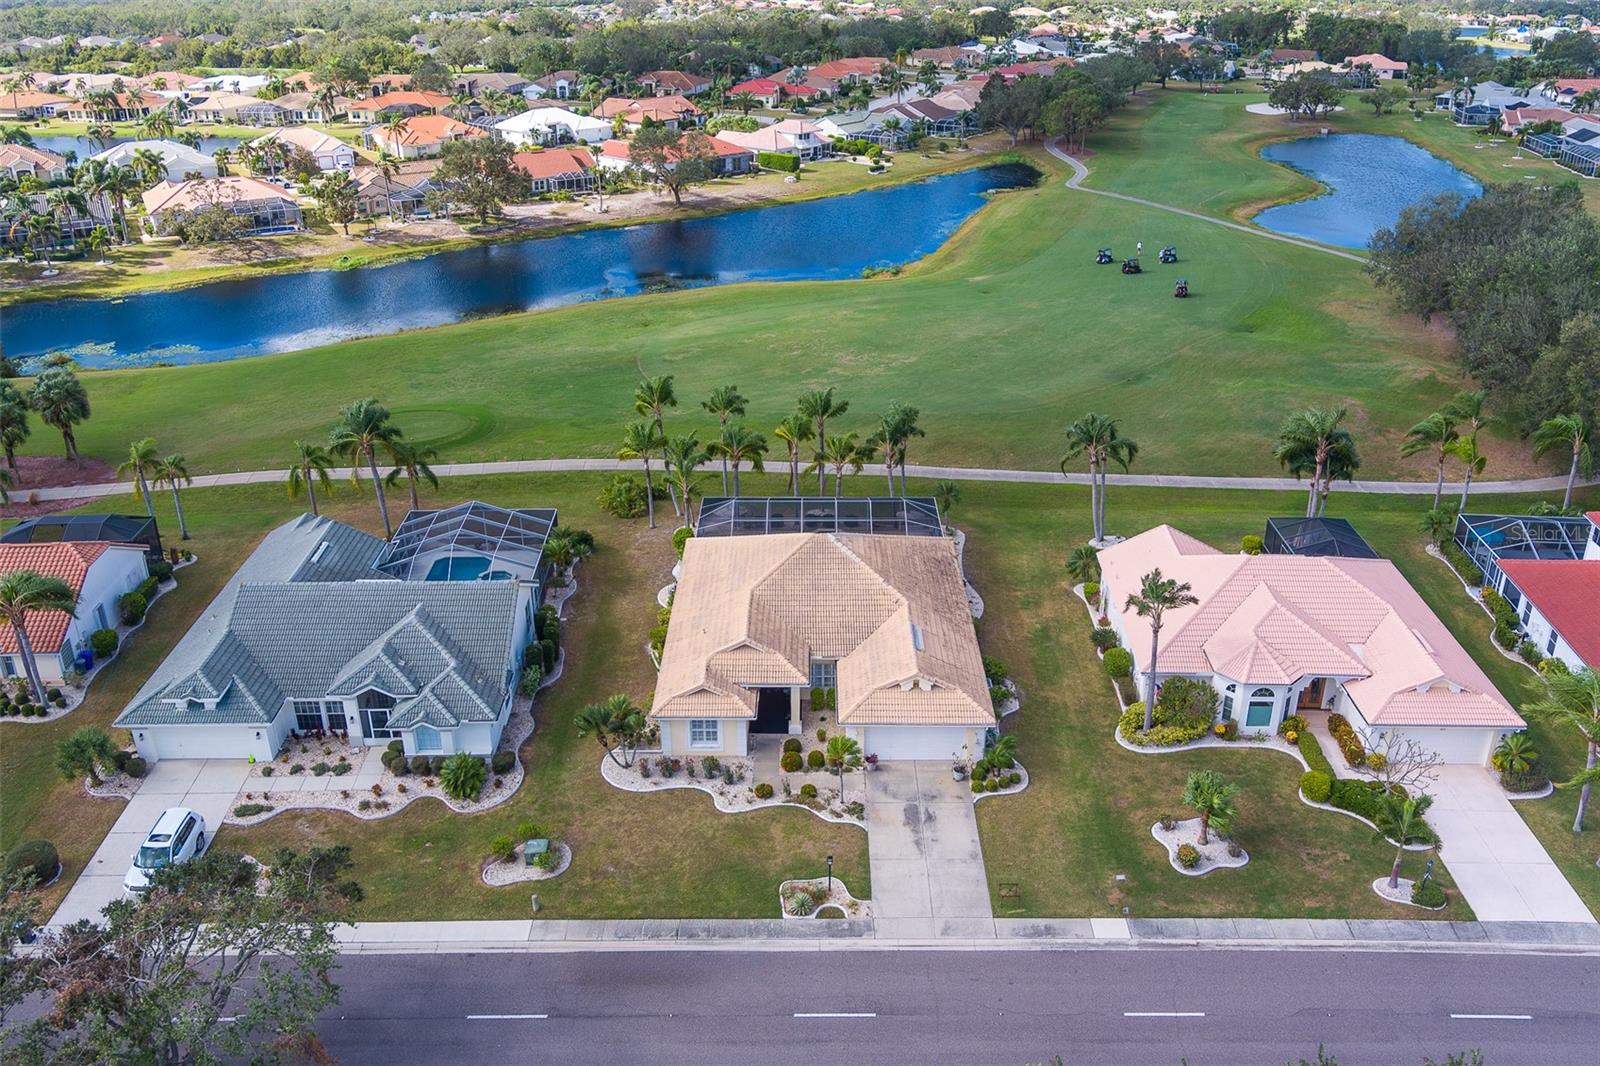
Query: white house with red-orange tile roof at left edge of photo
point(98, 574)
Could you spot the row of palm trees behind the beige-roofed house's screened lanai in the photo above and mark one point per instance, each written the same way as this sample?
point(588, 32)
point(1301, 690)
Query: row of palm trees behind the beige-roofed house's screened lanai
point(737, 447)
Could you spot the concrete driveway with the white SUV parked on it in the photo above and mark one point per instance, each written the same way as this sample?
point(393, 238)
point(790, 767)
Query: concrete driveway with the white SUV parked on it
point(207, 787)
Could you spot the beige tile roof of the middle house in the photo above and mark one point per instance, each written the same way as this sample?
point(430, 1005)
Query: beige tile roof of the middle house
point(756, 611)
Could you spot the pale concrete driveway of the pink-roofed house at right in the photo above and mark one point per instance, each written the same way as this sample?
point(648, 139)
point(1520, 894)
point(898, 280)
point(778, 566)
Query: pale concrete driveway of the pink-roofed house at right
point(1498, 864)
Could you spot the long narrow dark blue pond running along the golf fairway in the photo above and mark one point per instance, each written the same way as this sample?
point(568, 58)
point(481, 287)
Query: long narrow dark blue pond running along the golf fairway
point(828, 239)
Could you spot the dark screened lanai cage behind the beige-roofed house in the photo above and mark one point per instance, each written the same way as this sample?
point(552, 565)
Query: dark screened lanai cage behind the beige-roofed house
point(903, 516)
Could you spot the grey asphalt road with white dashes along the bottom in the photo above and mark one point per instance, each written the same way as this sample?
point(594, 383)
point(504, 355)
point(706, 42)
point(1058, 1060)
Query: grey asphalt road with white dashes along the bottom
point(1150, 1008)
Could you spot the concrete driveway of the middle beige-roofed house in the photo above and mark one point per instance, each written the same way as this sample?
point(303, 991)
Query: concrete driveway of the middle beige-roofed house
point(927, 865)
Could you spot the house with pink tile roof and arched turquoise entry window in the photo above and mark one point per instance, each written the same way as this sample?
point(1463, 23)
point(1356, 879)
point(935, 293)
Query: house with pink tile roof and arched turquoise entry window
point(1295, 635)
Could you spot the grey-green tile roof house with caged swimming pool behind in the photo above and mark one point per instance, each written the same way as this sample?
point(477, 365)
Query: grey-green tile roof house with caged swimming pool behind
point(329, 628)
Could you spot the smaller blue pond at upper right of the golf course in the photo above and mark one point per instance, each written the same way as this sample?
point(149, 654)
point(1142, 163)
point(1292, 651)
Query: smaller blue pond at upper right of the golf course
point(1370, 178)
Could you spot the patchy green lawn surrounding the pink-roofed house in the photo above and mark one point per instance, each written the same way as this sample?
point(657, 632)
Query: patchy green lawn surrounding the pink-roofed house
point(1089, 811)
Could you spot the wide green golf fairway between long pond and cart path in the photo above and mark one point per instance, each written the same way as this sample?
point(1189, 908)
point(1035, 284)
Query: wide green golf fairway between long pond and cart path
point(1002, 339)
